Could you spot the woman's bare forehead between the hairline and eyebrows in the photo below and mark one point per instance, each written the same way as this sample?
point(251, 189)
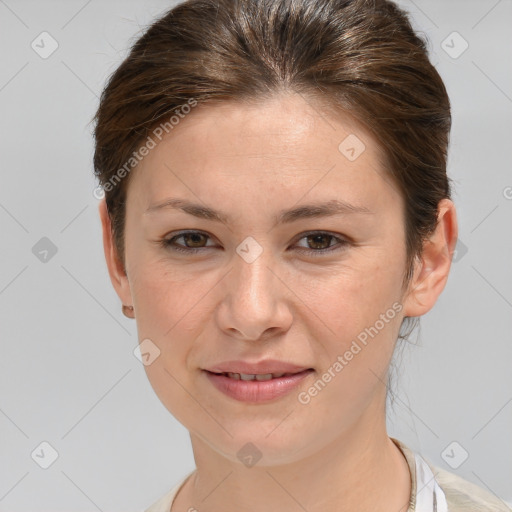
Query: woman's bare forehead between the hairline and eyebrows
point(285, 144)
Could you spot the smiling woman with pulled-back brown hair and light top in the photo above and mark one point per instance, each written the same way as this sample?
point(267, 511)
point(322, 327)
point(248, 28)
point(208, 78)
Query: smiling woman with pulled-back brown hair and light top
point(276, 211)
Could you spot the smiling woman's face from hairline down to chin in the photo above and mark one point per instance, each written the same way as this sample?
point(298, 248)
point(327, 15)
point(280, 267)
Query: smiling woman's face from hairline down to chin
point(301, 288)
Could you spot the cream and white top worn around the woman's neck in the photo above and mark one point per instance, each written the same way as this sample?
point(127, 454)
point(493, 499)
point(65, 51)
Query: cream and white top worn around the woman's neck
point(432, 490)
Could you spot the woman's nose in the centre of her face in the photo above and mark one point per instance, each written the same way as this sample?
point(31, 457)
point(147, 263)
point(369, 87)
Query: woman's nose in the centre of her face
point(256, 301)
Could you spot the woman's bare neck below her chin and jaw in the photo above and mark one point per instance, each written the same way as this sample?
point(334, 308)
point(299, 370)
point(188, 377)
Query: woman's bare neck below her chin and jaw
point(362, 470)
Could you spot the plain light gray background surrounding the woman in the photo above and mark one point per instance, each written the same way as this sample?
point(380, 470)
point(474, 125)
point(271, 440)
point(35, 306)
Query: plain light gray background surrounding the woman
point(68, 375)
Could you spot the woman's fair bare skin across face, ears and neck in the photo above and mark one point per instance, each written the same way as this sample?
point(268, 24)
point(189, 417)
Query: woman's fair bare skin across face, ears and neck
point(300, 301)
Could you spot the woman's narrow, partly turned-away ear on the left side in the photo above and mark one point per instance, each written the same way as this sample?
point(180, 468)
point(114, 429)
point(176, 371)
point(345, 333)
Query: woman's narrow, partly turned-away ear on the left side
point(115, 266)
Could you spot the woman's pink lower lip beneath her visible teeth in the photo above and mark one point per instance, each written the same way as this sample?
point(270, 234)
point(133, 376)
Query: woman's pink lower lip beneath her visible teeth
point(254, 390)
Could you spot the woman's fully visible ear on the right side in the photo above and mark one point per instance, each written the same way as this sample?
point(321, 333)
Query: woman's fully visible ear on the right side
point(431, 273)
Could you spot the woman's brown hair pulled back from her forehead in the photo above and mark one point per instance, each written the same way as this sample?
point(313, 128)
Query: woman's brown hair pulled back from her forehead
point(361, 57)
